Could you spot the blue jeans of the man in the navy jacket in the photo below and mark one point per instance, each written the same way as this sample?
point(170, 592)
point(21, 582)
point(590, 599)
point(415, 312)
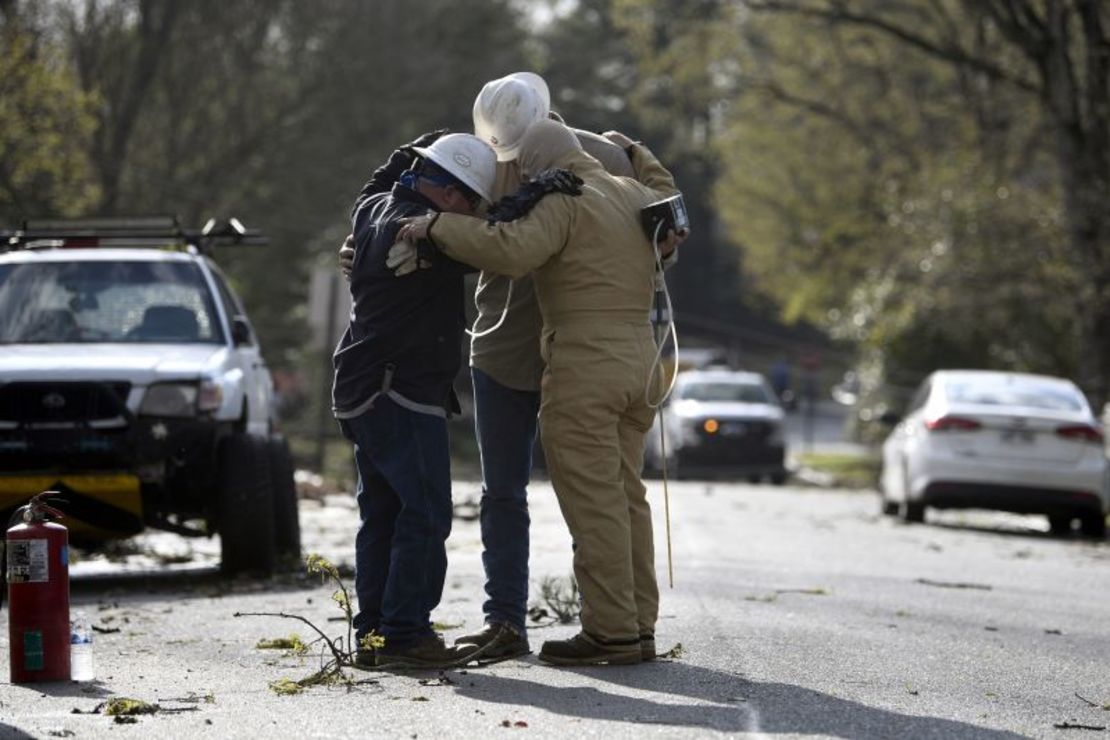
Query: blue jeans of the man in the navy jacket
point(405, 505)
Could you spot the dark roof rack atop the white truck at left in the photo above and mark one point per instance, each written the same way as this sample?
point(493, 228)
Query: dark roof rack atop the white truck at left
point(149, 232)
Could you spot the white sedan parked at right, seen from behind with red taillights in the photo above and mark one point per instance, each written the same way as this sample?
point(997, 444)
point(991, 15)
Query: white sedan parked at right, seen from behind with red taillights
point(1008, 442)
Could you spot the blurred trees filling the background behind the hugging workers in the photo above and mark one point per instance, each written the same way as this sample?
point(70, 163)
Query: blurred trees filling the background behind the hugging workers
point(897, 185)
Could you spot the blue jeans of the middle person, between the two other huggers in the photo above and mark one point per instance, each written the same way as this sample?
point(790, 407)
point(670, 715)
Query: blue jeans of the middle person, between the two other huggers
point(506, 423)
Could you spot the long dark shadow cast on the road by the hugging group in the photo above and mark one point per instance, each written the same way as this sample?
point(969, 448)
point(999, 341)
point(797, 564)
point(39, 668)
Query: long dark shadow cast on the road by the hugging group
point(738, 705)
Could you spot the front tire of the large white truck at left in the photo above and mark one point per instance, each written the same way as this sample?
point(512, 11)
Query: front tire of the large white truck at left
point(245, 509)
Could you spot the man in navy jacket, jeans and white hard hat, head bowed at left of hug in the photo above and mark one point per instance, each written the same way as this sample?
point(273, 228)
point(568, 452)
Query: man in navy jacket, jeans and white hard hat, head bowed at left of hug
point(395, 368)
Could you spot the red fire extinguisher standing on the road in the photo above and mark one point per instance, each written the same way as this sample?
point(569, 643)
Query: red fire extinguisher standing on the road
point(38, 594)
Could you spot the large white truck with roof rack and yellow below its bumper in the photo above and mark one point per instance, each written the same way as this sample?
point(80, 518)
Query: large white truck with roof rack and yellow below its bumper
point(132, 381)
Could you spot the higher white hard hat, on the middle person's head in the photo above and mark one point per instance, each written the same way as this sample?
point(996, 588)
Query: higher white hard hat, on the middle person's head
point(507, 107)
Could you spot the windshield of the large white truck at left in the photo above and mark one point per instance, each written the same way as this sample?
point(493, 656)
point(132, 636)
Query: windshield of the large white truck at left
point(96, 302)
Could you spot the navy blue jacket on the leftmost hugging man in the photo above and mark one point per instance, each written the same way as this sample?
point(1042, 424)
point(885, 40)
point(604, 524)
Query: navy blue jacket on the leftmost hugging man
point(411, 325)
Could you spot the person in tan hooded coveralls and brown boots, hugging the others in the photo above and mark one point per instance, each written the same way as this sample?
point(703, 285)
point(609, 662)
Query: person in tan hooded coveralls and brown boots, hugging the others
point(594, 280)
